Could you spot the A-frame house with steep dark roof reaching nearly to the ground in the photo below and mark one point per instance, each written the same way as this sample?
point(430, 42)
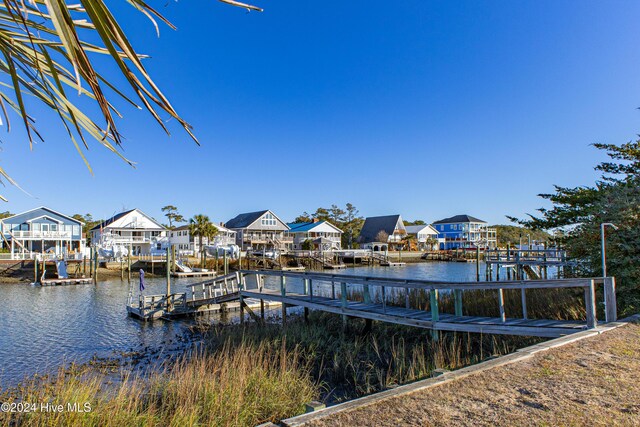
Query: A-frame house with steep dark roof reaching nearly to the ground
point(382, 232)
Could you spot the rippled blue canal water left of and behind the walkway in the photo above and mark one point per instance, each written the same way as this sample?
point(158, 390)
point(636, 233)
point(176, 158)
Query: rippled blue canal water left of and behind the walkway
point(44, 327)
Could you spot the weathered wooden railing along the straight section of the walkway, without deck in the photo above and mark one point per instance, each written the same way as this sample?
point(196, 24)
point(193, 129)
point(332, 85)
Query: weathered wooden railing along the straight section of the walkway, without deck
point(315, 282)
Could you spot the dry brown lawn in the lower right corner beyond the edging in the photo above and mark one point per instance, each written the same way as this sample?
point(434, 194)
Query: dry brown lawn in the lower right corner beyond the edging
point(592, 382)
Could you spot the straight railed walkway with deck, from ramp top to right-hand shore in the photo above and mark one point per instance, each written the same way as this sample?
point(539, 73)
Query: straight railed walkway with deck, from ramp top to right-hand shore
point(368, 298)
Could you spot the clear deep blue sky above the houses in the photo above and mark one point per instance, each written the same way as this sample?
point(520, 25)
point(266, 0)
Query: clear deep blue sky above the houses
point(423, 108)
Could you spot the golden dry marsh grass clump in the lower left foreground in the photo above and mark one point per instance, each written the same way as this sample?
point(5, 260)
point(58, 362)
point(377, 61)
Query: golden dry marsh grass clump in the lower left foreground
point(241, 385)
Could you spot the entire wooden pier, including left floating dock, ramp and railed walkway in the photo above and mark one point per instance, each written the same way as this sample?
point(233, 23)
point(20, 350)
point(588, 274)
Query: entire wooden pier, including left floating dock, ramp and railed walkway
point(383, 299)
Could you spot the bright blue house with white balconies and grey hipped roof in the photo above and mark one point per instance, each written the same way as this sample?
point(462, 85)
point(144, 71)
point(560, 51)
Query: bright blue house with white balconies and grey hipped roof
point(465, 232)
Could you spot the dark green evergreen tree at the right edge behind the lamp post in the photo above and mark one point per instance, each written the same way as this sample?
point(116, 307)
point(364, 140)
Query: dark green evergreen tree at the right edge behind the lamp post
point(577, 213)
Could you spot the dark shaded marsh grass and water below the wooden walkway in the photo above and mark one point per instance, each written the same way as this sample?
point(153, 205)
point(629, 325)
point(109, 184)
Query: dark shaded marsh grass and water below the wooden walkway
point(354, 362)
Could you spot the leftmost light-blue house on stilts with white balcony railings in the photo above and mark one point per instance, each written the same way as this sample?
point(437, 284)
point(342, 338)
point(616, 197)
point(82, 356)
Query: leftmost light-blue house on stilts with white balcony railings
point(41, 230)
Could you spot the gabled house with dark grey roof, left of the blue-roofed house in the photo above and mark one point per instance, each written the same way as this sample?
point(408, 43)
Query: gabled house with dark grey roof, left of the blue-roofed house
point(260, 230)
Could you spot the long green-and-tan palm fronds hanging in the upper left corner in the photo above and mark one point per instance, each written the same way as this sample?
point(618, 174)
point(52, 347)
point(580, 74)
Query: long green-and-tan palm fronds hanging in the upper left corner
point(45, 54)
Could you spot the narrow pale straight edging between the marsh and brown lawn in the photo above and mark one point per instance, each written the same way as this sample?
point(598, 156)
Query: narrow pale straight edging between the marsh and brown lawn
point(517, 356)
